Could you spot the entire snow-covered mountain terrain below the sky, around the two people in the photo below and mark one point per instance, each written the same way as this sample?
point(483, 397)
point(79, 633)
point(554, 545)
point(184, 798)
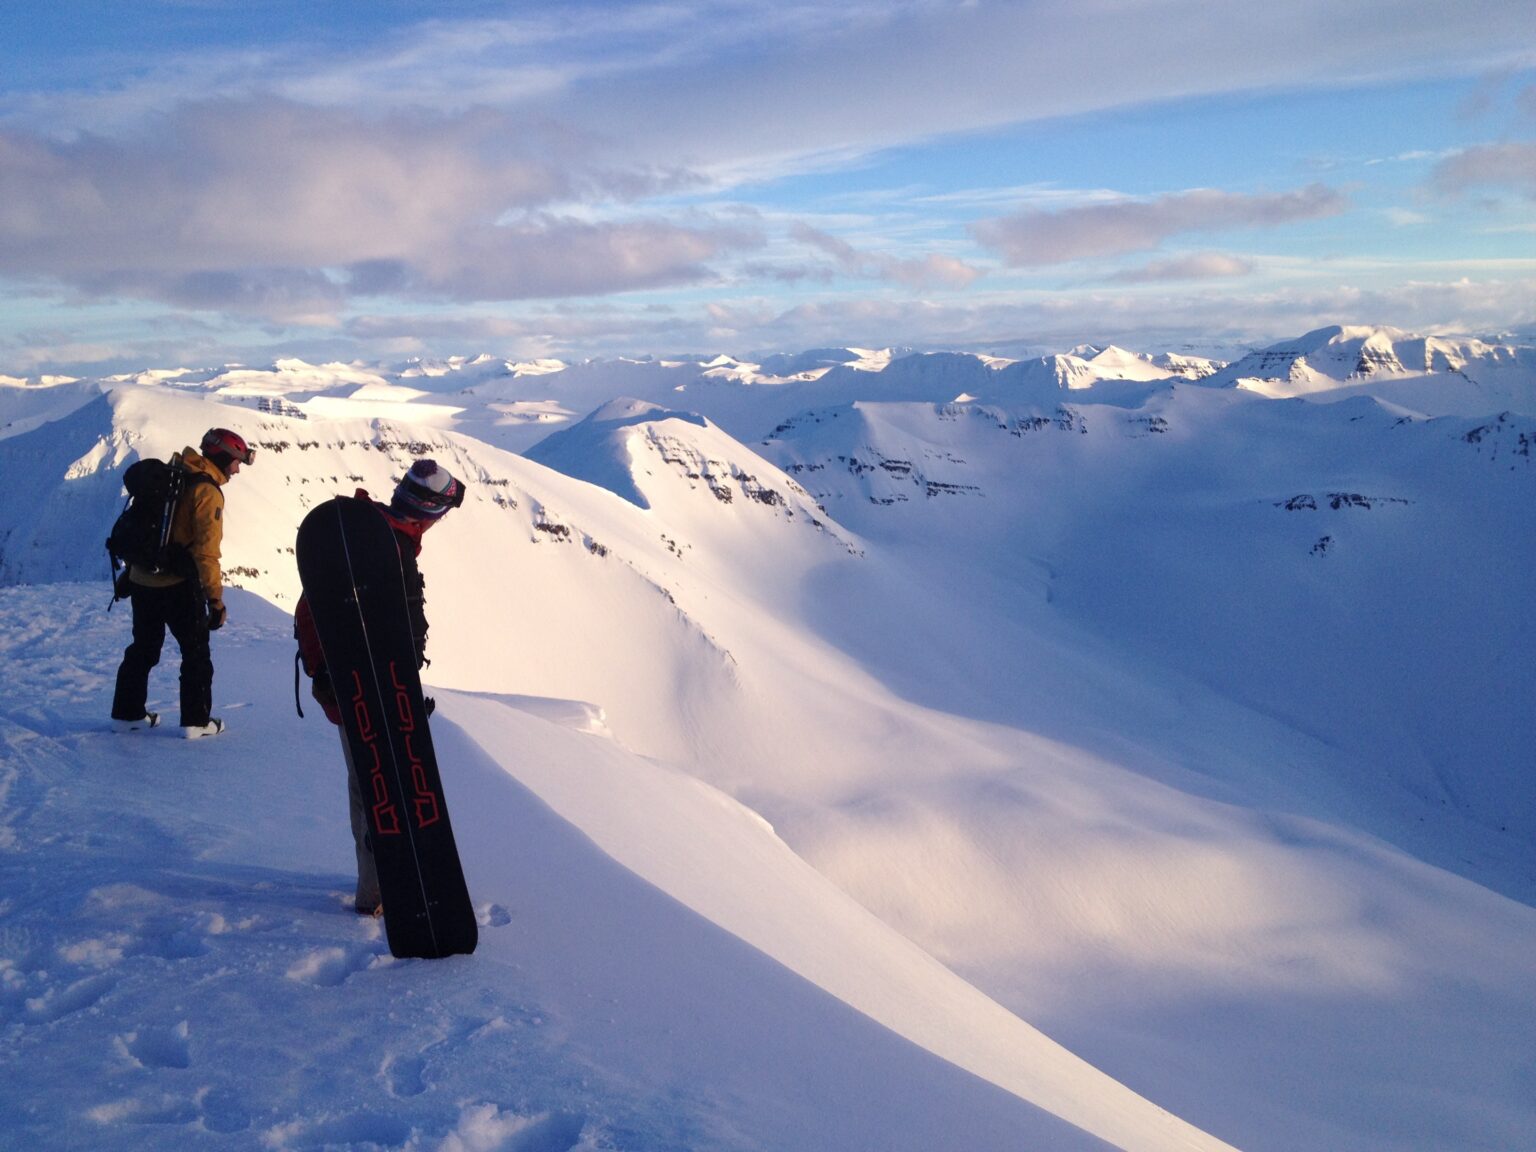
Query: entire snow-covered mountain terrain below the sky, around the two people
point(850, 750)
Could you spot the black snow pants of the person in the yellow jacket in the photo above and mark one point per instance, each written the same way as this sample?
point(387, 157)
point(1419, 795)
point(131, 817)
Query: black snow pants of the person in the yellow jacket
point(184, 612)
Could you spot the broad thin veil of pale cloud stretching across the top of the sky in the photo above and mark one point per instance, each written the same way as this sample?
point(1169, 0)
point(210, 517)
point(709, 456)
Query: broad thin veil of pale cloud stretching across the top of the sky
point(749, 85)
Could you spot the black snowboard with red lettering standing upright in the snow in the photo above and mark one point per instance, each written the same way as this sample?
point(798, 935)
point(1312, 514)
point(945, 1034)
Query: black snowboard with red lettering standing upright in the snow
point(349, 566)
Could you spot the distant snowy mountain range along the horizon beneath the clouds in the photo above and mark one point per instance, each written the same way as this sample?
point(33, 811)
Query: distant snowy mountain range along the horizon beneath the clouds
point(517, 403)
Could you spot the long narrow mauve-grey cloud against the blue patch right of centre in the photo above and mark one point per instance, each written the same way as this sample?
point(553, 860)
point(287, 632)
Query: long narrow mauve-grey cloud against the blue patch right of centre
point(1039, 237)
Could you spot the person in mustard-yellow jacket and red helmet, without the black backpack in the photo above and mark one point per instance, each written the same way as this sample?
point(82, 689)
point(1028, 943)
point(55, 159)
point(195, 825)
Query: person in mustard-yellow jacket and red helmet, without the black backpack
point(188, 601)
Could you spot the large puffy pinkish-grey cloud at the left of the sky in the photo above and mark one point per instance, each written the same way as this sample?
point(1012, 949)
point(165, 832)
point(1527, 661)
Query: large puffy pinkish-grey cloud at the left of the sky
point(234, 184)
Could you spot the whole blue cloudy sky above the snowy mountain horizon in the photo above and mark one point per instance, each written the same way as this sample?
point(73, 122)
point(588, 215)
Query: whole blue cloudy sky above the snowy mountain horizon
point(197, 182)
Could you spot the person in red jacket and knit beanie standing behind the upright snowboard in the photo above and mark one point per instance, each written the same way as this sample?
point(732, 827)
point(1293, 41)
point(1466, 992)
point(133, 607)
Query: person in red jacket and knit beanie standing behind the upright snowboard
point(422, 498)
